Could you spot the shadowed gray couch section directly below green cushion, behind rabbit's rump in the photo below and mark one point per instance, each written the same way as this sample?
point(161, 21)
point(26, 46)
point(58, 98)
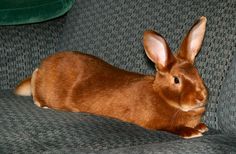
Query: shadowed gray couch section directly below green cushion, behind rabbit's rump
point(22, 48)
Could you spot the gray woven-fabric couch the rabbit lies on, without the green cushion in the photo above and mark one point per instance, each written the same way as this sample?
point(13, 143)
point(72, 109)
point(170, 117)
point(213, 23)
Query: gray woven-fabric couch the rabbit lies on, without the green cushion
point(112, 30)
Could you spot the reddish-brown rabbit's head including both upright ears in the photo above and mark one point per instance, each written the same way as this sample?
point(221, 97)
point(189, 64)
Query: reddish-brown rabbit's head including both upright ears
point(177, 80)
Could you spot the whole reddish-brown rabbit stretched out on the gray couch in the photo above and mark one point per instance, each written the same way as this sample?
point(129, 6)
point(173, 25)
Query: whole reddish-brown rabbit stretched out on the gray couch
point(173, 100)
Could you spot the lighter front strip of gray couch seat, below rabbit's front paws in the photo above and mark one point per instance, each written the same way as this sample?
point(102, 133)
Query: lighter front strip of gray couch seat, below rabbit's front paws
point(211, 144)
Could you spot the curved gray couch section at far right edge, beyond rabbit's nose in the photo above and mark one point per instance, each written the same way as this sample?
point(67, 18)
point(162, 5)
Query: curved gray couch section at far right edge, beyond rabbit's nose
point(227, 102)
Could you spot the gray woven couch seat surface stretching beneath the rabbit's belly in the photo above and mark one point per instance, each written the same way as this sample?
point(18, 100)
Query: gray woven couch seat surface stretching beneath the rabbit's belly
point(26, 127)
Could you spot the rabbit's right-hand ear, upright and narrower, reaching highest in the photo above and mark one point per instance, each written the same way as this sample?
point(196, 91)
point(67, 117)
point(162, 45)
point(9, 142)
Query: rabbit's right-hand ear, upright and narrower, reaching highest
point(193, 40)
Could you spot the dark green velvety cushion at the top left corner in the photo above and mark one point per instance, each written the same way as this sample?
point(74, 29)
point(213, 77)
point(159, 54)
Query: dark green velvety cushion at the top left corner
point(14, 12)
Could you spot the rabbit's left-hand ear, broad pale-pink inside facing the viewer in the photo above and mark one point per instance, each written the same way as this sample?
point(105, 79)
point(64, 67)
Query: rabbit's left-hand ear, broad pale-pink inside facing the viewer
point(157, 50)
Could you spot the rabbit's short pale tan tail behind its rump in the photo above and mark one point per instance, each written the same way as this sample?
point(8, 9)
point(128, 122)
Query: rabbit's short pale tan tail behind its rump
point(24, 87)
